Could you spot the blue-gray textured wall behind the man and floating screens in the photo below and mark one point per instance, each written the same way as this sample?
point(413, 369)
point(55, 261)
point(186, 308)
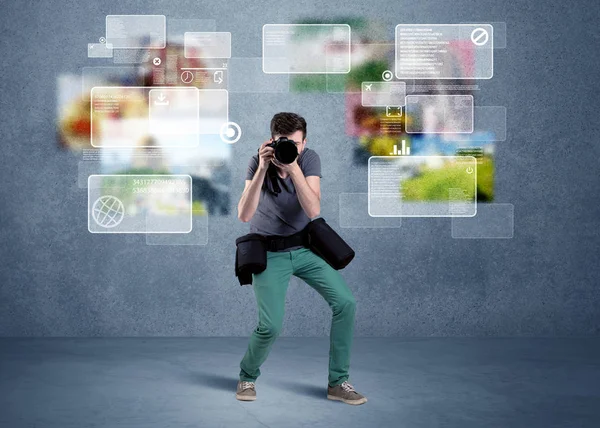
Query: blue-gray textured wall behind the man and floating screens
point(56, 279)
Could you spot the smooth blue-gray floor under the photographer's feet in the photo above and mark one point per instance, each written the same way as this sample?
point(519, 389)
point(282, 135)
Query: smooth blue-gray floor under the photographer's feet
point(181, 382)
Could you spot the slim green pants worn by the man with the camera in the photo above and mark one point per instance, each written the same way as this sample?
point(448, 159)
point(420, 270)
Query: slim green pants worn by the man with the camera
point(270, 287)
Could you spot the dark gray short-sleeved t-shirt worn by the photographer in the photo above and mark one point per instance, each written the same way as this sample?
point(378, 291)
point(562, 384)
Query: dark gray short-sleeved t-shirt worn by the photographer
point(282, 214)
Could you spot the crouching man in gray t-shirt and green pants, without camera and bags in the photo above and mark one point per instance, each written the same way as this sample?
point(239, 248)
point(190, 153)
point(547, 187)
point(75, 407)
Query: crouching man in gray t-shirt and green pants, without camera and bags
point(285, 213)
